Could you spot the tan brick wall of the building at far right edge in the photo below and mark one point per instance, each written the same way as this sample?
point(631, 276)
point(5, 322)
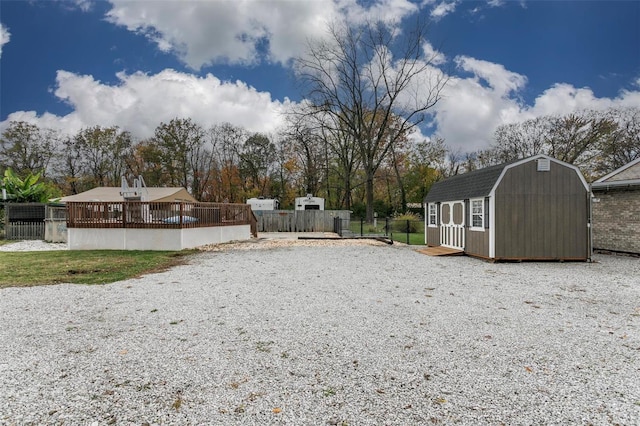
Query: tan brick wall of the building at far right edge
point(616, 220)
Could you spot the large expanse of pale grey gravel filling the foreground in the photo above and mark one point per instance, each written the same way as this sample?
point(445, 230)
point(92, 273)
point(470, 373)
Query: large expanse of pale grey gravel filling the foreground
point(327, 333)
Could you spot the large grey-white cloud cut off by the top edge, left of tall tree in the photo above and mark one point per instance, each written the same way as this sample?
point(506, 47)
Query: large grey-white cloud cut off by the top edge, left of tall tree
point(243, 31)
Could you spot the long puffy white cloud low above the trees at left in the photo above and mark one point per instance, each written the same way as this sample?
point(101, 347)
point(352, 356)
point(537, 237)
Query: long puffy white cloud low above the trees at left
point(140, 102)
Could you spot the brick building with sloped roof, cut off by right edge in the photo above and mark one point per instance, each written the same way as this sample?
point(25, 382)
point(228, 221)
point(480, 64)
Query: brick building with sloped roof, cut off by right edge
point(616, 210)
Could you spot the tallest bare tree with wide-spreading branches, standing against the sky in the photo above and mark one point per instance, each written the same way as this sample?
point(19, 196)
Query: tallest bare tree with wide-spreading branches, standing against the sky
point(363, 78)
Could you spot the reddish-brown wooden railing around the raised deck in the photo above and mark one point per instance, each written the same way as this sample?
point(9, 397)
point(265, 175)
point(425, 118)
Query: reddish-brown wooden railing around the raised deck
point(141, 214)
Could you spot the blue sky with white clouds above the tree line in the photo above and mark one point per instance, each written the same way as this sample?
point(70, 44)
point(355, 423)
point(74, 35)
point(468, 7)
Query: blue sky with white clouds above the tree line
point(72, 64)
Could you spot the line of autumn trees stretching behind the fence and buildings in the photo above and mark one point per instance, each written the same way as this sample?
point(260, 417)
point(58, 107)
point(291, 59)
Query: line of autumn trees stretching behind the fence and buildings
point(226, 163)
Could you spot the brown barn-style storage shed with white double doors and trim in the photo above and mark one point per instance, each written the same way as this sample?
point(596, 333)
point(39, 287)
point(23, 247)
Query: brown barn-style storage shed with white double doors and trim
point(532, 209)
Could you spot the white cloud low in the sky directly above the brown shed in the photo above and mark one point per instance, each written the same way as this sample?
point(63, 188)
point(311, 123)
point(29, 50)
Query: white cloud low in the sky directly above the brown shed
point(473, 107)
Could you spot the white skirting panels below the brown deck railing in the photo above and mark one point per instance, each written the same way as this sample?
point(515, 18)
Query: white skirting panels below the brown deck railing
point(153, 239)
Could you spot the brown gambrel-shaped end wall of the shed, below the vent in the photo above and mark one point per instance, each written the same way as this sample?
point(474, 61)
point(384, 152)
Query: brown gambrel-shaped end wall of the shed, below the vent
point(541, 215)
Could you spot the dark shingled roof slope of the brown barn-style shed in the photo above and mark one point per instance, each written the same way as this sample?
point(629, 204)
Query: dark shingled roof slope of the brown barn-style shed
point(477, 183)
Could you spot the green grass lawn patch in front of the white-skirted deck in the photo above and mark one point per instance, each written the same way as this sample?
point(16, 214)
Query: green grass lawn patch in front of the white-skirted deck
point(20, 269)
